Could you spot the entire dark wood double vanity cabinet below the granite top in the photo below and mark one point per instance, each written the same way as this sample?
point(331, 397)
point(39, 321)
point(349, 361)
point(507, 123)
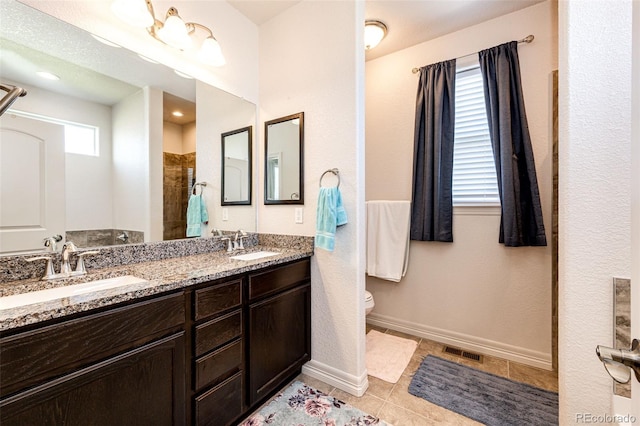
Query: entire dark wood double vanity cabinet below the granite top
point(208, 355)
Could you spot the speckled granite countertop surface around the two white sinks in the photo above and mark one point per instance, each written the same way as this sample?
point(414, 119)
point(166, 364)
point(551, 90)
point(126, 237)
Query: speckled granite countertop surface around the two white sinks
point(160, 275)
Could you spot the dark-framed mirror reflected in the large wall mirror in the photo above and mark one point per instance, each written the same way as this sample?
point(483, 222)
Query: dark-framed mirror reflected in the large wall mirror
point(236, 167)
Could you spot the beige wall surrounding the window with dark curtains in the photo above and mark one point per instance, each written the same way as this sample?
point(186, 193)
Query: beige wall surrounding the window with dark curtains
point(473, 293)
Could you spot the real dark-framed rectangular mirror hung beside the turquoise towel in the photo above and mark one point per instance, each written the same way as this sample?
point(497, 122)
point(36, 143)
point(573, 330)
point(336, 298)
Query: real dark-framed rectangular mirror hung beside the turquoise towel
point(284, 173)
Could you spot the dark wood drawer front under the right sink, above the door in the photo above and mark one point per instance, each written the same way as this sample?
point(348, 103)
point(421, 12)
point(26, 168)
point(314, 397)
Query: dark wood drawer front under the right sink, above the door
point(278, 279)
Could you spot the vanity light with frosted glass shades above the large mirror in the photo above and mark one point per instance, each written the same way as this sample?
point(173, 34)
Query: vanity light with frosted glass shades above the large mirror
point(173, 31)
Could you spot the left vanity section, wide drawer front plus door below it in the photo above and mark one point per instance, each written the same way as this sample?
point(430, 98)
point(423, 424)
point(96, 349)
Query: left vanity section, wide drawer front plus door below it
point(123, 366)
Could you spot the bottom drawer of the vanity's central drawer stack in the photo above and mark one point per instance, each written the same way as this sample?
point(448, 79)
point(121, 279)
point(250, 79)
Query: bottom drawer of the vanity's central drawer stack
point(221, 405)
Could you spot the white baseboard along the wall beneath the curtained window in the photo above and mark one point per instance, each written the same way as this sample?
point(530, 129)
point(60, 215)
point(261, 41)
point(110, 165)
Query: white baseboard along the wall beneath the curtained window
point(463, 341)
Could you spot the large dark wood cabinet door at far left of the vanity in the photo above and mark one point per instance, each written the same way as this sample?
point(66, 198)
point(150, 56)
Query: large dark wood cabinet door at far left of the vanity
point(145, 386)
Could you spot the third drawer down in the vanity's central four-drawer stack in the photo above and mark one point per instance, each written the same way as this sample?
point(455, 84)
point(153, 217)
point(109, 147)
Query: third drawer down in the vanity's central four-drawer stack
point(216, 365)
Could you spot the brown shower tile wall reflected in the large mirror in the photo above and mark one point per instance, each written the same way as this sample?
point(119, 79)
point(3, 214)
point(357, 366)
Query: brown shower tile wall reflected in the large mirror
point(176, 187)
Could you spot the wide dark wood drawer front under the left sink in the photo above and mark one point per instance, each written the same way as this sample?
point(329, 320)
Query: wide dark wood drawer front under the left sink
point(33, 357)
